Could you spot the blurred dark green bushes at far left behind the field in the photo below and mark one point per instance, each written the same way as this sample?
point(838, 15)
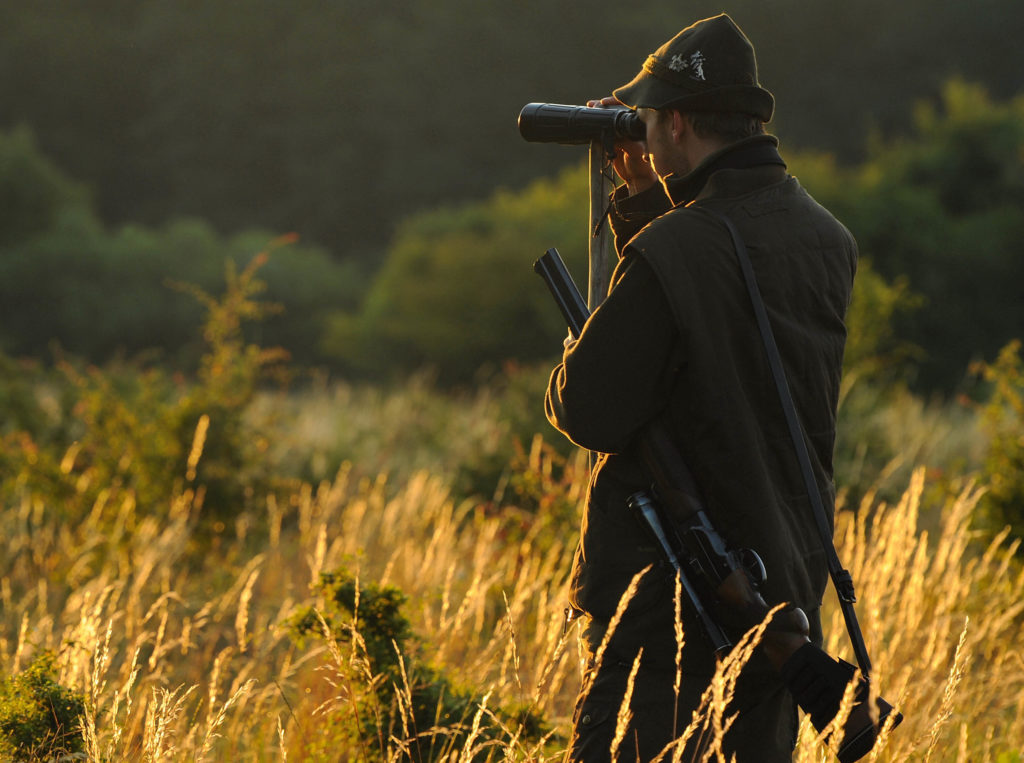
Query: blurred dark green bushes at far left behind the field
point(102, 294)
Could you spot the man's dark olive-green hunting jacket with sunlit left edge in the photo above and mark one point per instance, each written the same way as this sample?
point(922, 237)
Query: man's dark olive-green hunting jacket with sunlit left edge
point(677, 340)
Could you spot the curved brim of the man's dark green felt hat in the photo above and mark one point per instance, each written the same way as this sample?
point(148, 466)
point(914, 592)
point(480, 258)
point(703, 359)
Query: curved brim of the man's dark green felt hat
point(649, 92)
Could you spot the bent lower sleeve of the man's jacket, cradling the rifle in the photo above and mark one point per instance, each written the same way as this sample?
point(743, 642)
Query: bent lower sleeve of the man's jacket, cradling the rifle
point(619, 374)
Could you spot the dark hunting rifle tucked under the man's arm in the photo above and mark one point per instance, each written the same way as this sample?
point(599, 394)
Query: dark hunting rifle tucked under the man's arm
point(718, 579)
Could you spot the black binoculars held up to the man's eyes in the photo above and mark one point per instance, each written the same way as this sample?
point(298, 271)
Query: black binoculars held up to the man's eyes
point(554, 123)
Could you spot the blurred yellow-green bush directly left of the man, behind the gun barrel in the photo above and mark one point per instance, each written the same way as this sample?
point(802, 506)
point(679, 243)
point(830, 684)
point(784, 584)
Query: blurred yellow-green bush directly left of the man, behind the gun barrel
point(457, 291)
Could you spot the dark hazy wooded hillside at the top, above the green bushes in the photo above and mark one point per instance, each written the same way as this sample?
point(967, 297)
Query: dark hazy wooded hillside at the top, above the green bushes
point(338, 120)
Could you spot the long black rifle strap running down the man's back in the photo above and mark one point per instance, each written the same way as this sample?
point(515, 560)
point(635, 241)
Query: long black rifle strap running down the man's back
point(840, 576)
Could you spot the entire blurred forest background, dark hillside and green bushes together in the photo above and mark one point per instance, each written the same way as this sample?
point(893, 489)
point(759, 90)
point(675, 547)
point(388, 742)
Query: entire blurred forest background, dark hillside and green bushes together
point(143, 142)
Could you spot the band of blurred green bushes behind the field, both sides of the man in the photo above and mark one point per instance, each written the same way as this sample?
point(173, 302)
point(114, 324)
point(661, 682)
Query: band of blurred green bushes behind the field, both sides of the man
point(938, 214)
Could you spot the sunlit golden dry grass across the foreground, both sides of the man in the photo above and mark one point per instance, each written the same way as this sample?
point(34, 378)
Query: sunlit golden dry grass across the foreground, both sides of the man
point(185, 658)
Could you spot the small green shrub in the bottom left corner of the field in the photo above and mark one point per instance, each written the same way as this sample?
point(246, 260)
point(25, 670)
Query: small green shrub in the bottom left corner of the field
point(39, 718)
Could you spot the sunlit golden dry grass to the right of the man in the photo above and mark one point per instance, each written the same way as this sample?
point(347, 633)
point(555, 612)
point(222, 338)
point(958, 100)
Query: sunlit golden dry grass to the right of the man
point(943, 619)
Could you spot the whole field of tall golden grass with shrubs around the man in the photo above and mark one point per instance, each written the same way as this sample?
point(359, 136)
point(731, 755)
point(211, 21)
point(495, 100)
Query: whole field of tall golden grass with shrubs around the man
point(389, 578)
